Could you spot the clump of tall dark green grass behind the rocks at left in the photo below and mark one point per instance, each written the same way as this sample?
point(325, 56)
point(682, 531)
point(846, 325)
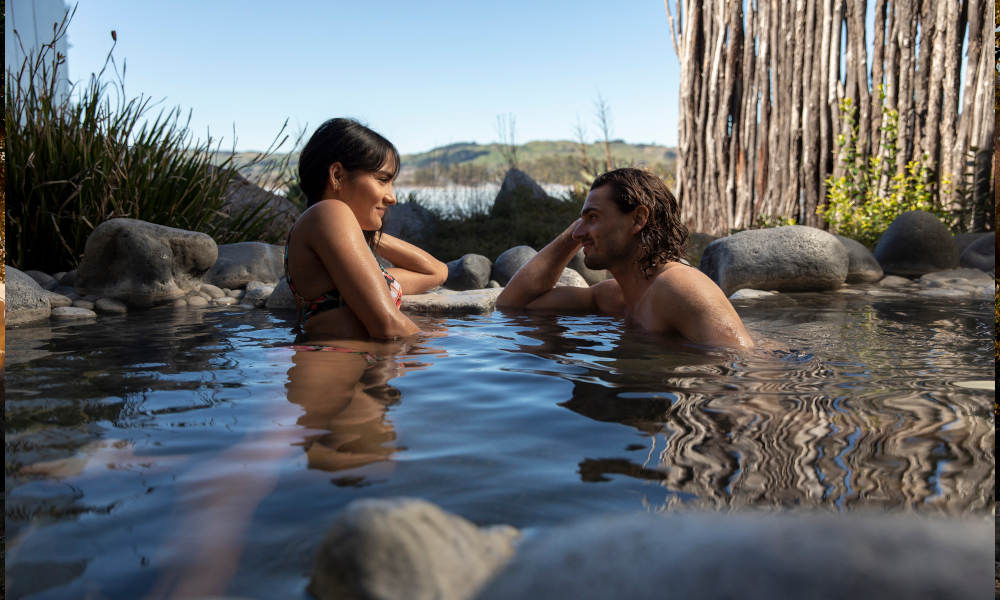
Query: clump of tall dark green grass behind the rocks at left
point(76, 161)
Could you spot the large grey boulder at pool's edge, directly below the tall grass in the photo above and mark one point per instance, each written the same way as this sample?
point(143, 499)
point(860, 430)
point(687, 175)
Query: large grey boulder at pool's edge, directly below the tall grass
point(143, 263)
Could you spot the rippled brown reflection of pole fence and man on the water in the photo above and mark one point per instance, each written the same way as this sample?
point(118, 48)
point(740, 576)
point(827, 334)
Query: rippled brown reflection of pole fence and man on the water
point(776, 427)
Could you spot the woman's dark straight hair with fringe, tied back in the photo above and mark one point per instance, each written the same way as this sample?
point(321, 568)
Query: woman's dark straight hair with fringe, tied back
point(350, 143)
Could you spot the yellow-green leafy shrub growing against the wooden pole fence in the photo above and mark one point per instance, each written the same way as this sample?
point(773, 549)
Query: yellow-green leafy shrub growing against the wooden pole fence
point(863, 202)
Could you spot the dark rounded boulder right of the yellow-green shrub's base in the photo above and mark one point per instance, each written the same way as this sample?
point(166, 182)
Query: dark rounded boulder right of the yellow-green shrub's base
point(915, 243)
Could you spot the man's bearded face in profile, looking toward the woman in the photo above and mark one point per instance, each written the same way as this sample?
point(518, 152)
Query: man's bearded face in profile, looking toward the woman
point(604, 230)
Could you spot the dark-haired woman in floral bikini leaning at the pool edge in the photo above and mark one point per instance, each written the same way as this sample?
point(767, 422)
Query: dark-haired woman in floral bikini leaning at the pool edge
point(346, 172)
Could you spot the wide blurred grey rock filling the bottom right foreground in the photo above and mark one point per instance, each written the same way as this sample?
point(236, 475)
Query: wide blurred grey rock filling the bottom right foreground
point(773, 557)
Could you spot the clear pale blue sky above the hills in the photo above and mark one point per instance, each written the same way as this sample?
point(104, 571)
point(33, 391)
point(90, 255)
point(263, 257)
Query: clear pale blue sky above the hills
point(422, 73)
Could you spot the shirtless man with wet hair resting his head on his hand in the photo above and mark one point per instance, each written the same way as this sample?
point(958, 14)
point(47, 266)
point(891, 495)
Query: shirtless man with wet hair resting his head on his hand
point(629, 225)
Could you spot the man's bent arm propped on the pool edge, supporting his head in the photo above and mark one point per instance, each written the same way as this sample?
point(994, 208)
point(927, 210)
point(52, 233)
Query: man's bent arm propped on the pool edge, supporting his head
point(533, 286)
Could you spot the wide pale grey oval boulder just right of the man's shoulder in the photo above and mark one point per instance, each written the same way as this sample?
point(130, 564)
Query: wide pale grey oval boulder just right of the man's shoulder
point(794, 258)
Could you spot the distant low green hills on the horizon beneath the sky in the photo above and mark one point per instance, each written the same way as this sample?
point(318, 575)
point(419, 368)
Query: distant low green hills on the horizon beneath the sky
point(468, 163)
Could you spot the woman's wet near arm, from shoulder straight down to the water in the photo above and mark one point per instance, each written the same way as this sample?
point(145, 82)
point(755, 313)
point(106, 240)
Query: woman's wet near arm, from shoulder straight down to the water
point(335, 236)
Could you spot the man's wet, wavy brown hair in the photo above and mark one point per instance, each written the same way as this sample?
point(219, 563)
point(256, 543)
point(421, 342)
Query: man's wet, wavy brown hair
point(663, 237)
